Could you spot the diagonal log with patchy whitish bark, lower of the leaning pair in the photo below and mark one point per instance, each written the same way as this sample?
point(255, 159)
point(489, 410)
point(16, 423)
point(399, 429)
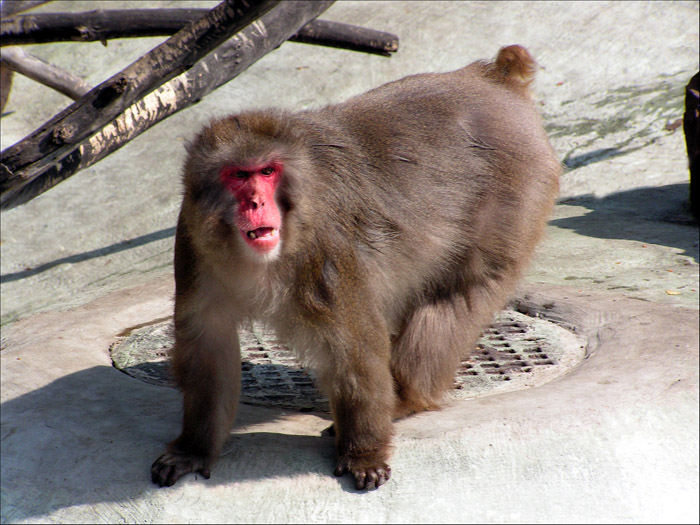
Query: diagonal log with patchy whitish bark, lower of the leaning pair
point(227, 62)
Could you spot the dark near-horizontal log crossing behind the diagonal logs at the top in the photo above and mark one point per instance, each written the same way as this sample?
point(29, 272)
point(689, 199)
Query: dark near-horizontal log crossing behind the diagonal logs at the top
point(103, 25)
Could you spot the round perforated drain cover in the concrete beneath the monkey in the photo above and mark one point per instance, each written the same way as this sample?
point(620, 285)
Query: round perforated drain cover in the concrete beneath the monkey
point(516, 351)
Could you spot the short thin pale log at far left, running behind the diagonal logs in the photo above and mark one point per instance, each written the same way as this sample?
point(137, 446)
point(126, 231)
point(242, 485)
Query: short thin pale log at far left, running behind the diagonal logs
point(48, 74)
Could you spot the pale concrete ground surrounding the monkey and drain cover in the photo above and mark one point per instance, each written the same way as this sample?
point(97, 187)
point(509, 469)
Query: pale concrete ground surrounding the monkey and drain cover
point(614, 440)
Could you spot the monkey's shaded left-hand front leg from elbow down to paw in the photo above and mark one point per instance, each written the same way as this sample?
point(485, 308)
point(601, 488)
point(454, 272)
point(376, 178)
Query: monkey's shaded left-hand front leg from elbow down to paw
point(207, 367)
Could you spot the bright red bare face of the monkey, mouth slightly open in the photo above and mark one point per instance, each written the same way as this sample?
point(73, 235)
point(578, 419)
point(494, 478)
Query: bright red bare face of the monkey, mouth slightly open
point(258, 217)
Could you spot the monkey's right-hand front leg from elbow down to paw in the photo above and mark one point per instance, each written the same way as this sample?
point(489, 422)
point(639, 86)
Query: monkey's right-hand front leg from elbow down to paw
point(362, 401)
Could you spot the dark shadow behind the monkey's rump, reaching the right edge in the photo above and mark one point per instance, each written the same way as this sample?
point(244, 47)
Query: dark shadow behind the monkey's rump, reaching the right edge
point(657, 215)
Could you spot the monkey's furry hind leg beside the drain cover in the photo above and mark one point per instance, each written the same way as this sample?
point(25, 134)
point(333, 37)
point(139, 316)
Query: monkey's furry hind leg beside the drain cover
point(427, 352)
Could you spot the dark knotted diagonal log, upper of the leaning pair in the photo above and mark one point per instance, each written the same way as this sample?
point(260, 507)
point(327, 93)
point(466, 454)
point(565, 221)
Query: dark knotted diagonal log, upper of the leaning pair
point(22, 161)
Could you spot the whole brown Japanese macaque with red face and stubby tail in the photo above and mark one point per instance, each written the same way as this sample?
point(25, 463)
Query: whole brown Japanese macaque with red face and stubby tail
point(377, 237)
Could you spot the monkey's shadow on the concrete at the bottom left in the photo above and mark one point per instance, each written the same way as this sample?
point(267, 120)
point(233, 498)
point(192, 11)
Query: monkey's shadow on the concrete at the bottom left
point(91, 436)
